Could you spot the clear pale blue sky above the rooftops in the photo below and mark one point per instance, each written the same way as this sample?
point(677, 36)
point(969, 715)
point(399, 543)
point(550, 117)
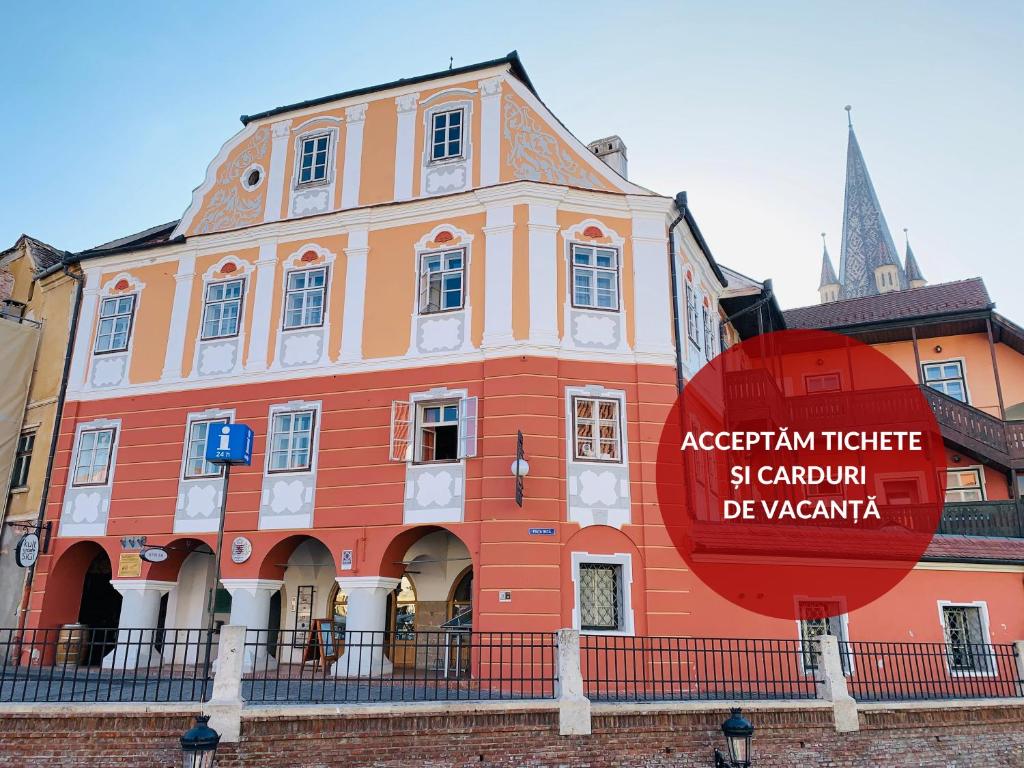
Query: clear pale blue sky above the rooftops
point(113, 111)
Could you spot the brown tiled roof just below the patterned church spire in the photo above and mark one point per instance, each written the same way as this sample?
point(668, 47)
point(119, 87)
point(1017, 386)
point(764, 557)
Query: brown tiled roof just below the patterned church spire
point(941, 300)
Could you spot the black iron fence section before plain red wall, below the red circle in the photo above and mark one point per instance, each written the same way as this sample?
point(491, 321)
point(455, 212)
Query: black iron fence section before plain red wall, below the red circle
point(643, 669)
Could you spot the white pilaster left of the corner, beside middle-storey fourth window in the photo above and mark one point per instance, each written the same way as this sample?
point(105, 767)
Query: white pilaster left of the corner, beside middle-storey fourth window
point(498, 277)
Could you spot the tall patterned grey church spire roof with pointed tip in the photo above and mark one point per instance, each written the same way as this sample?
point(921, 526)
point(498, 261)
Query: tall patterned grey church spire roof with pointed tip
point(867, 241)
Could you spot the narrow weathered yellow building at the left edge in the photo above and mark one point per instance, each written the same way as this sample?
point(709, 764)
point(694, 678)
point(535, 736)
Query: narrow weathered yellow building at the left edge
point(38, 298)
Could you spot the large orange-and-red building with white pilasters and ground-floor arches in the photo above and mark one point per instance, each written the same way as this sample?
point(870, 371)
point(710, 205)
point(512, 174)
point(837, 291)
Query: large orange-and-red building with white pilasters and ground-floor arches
point(389, 285)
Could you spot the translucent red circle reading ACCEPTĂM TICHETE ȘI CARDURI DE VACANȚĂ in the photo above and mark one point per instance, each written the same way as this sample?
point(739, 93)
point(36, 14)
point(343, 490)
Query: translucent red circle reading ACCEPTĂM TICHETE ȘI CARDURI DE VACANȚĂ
point(801, 467)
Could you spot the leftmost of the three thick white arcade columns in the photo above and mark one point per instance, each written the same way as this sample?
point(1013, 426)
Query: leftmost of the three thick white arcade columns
point(140, 614)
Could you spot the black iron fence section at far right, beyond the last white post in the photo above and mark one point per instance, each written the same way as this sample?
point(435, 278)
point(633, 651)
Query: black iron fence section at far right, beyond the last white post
point(901, 672)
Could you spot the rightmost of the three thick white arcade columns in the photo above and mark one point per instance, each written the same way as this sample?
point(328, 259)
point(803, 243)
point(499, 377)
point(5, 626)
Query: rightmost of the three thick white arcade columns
point(365, 641)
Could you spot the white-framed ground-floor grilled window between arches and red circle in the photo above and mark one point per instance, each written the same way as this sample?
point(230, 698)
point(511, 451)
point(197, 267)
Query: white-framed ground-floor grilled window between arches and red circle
point(603, 586)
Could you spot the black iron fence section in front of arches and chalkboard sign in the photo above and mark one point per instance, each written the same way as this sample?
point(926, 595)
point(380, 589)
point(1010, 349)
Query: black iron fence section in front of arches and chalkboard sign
point(290, 666)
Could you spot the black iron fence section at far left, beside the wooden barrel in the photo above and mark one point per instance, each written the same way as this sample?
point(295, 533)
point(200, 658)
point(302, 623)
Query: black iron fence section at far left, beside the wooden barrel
point(78, 664)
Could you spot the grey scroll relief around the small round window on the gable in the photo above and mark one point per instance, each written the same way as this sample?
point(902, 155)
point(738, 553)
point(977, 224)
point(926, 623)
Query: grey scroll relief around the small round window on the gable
point(229, 205)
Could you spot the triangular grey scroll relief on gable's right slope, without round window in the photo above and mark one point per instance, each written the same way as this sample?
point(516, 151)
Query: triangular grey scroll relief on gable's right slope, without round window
point(536, 155)
